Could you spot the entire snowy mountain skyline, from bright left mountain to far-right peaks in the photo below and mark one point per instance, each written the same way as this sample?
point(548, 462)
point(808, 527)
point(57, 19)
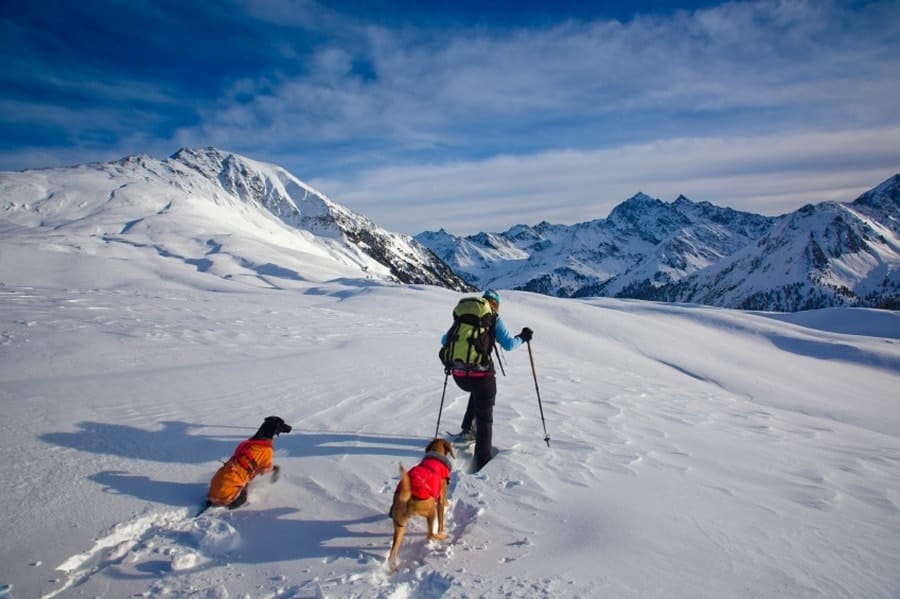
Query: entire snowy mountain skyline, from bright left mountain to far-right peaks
point(225, 215)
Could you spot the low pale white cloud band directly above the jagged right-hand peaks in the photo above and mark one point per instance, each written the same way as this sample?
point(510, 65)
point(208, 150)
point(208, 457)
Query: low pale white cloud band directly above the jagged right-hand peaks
point(768, 174)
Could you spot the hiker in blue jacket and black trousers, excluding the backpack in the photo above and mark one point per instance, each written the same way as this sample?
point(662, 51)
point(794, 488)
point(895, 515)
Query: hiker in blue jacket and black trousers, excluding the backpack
point(482, 387)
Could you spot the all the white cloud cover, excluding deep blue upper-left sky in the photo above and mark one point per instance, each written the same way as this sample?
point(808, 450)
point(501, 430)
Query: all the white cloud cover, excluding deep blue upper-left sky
point(736, 104)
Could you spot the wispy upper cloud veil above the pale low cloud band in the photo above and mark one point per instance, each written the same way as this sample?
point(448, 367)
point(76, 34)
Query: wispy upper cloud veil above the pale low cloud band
point(740, 66)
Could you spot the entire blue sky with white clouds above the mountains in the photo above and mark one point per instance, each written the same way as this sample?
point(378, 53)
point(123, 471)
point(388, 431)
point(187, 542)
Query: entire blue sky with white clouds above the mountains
point(471, 116)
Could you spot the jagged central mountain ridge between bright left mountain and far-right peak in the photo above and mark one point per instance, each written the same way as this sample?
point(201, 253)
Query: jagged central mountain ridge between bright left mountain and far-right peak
point(644, 240)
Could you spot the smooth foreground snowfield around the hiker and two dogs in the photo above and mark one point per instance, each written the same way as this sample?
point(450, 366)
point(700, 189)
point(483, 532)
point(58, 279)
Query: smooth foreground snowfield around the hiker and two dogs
point(695, 451)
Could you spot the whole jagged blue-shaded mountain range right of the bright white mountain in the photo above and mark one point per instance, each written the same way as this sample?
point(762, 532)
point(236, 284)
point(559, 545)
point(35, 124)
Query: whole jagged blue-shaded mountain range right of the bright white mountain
point(831, 254)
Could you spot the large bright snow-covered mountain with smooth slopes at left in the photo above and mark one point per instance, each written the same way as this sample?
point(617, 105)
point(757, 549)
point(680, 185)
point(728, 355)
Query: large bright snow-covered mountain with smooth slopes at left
point(218, 213)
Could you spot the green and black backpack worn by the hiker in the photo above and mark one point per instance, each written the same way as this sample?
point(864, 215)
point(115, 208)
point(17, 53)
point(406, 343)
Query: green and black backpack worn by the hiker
point(470, 339)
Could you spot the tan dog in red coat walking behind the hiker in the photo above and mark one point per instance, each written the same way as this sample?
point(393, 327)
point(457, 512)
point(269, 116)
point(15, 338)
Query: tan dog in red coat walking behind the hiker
point(422, 492)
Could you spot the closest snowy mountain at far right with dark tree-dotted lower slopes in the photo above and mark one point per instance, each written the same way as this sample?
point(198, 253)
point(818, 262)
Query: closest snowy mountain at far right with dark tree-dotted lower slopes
point(829, 254)
